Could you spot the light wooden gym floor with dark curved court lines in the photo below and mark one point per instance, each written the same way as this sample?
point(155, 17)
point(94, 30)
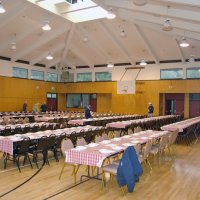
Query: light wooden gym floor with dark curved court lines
point(171, 180)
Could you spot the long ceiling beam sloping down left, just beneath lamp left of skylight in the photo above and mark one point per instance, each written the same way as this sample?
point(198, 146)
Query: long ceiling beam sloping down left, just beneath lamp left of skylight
point(41, 41)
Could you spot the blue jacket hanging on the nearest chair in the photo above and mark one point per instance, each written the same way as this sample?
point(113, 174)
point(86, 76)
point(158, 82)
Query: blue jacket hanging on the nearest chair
point(129, 169)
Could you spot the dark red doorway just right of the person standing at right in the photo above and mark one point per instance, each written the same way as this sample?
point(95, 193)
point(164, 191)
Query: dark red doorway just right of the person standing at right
point(174, 104)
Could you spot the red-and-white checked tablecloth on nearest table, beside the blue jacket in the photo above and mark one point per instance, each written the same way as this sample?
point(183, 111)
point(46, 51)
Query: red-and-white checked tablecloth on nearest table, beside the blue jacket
point(94, 154)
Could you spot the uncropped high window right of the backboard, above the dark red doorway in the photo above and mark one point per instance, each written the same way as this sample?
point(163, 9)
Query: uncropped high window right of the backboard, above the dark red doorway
point(171, 74)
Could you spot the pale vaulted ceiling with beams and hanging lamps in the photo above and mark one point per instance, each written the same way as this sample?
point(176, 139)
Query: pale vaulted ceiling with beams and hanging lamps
point(97, 42)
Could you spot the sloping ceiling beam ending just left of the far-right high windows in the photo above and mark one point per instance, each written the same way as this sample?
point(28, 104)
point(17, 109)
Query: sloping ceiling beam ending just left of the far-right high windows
point(144, 39)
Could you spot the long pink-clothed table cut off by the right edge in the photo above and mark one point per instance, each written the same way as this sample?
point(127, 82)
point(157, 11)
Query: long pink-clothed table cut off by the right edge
point(180, 126)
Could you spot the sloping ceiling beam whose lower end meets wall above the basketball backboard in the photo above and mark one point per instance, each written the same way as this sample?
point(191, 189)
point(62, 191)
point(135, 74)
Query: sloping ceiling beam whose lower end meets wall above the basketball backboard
point(116, 41)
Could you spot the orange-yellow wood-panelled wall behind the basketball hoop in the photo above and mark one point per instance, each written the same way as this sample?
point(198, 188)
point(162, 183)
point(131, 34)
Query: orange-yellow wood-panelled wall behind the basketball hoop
point(13, 92)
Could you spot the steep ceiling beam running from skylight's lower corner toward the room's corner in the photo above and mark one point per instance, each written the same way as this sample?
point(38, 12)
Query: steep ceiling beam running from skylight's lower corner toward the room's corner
point(69, 37)
